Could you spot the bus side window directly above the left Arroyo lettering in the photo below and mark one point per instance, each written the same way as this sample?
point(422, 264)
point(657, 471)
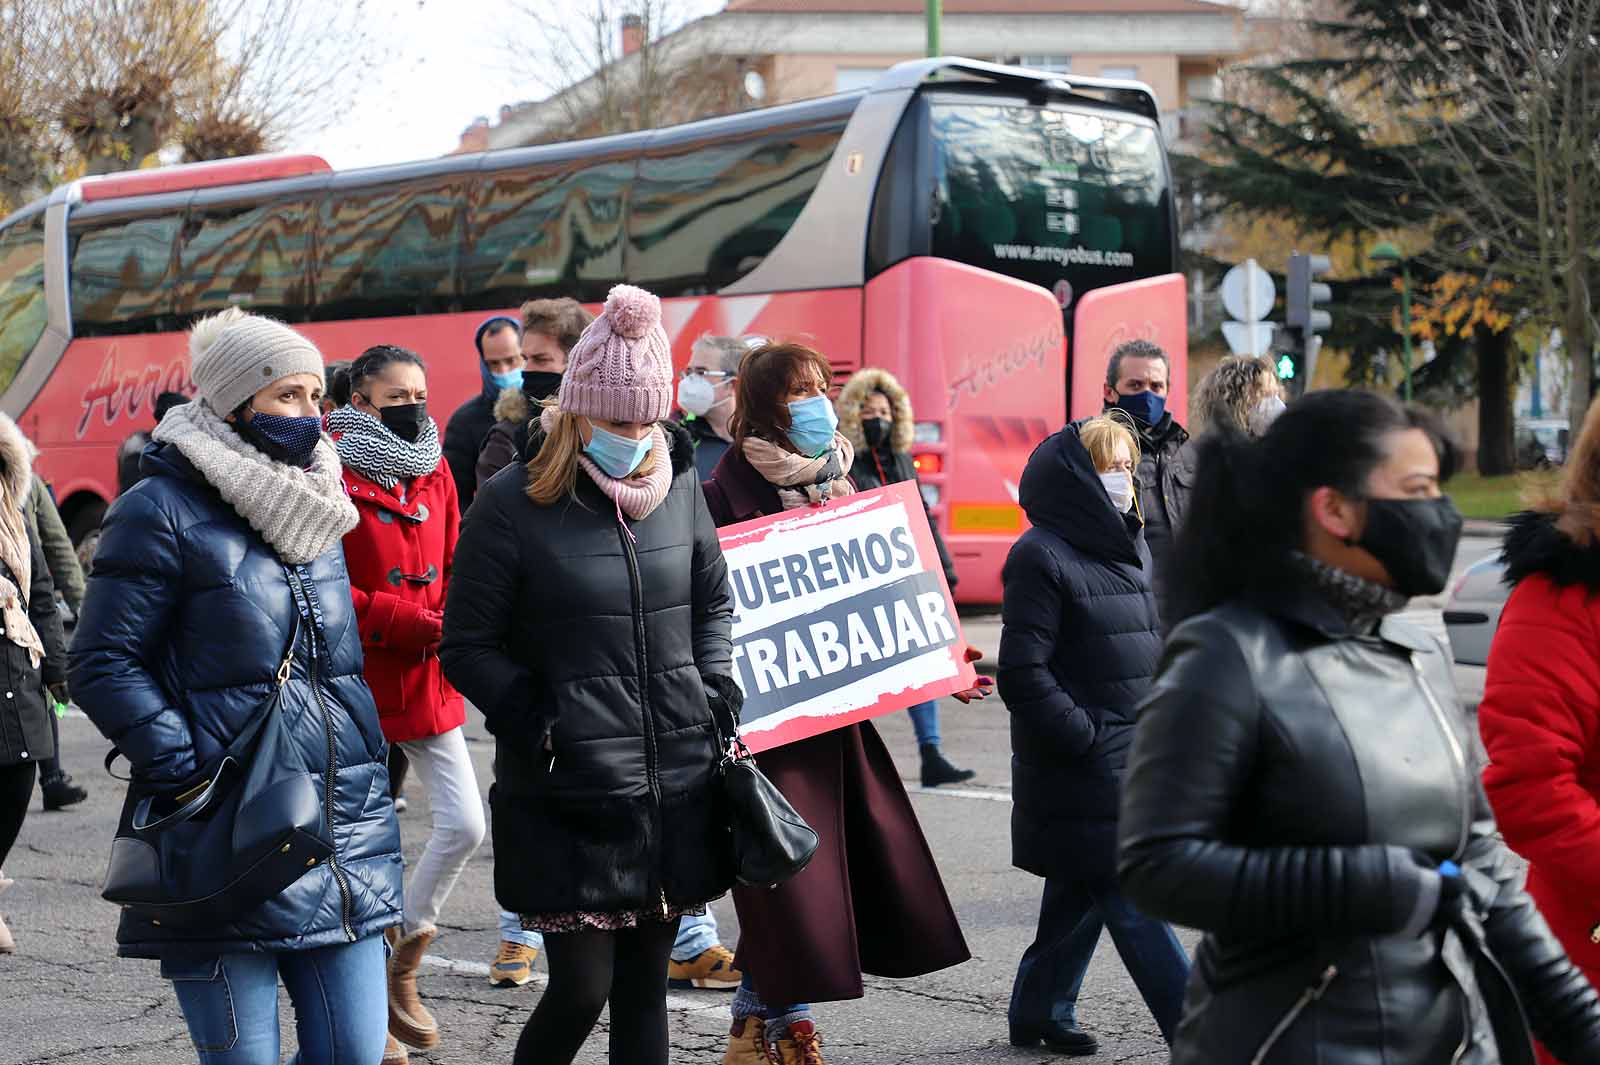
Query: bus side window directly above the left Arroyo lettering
point(122, 276)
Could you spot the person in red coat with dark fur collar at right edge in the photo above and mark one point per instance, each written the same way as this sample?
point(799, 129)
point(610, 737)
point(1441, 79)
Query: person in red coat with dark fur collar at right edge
point(1542, 706)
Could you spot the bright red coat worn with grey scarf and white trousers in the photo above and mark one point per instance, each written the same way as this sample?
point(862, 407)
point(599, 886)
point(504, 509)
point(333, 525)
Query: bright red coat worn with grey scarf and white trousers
point(399, 560)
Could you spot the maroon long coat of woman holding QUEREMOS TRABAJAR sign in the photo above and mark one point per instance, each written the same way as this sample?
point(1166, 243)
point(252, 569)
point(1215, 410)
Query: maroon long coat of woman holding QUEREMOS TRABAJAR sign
point(871, 901)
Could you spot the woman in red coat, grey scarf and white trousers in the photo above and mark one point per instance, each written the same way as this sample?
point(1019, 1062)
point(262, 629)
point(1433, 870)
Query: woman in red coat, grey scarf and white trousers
point(399, 560)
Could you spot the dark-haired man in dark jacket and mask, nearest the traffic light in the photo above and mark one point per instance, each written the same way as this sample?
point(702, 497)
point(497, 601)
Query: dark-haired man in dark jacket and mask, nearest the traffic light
point(1137, 381)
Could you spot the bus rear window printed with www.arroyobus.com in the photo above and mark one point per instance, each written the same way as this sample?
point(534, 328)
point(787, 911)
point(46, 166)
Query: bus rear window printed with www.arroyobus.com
point(1071, 201)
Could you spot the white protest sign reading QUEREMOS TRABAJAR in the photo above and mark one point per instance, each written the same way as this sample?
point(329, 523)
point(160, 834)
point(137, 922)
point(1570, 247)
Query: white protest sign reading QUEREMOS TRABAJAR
point(841, 615)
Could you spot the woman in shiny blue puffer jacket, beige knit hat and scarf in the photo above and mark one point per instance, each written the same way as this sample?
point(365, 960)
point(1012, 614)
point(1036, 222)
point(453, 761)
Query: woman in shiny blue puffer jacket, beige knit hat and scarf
point(191, 604)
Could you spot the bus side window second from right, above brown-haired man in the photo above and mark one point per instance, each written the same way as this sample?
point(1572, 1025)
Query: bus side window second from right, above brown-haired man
point(550, 229)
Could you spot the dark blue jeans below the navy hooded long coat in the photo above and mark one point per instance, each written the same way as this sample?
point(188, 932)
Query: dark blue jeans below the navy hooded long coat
point(1071, 917)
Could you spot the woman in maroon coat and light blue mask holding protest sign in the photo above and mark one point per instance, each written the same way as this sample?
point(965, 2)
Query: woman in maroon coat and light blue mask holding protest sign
point(871, 901)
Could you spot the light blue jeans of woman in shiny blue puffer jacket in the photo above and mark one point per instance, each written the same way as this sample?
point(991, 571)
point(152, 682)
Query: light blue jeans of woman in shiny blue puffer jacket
point(231, 1003)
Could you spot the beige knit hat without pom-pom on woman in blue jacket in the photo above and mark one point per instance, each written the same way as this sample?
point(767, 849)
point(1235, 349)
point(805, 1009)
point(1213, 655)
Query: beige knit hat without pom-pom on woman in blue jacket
point(234, 356)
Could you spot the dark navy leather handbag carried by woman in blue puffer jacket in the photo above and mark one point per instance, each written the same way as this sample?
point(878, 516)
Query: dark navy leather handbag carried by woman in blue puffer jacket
point(218, 850)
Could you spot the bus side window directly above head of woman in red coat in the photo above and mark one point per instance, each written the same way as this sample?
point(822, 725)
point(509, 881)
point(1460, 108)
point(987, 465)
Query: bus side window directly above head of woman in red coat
point(390, 250)
